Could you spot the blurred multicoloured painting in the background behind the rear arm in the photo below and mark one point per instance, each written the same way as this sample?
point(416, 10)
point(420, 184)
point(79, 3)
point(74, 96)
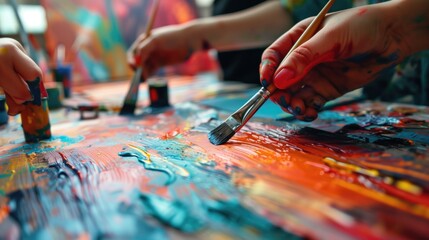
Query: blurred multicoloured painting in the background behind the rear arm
point(96, 35)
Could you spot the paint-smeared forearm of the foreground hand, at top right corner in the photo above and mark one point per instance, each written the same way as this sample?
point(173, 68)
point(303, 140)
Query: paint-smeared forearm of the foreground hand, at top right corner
point(414, 16)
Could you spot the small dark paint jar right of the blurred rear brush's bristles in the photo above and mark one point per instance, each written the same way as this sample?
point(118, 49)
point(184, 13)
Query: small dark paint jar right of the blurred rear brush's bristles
point(158, 93)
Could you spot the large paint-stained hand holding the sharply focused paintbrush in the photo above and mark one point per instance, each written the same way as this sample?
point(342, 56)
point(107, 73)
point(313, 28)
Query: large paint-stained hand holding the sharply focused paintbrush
point(351, 49)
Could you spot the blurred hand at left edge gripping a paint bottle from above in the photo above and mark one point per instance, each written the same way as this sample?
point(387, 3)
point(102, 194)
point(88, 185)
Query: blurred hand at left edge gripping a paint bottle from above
point(16, 67)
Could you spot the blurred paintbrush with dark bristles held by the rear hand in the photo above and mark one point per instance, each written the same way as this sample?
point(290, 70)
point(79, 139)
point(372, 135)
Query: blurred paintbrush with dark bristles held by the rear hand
point(131, 98)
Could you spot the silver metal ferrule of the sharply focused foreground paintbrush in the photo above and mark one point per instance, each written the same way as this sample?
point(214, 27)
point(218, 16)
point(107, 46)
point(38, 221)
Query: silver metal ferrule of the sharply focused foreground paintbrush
point(242, 115)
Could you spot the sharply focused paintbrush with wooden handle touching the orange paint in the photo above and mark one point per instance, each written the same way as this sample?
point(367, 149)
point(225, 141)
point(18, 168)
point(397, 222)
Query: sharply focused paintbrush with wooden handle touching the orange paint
point(239, 118)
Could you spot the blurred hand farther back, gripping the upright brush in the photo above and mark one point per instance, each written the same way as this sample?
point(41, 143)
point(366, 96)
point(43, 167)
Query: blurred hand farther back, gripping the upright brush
point(165, 46)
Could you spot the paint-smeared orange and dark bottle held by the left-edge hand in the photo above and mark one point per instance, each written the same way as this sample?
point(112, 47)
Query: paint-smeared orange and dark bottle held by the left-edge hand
point(35, 116)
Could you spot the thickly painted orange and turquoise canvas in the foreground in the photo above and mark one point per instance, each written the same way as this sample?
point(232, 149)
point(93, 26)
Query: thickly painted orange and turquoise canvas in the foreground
point(358, 172)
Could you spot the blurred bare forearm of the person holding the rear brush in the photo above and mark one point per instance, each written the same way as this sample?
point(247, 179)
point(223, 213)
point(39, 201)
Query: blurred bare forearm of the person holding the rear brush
point(255, 27)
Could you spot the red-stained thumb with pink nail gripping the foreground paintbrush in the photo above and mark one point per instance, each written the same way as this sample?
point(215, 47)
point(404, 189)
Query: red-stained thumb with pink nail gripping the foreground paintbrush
point(320, 48)
